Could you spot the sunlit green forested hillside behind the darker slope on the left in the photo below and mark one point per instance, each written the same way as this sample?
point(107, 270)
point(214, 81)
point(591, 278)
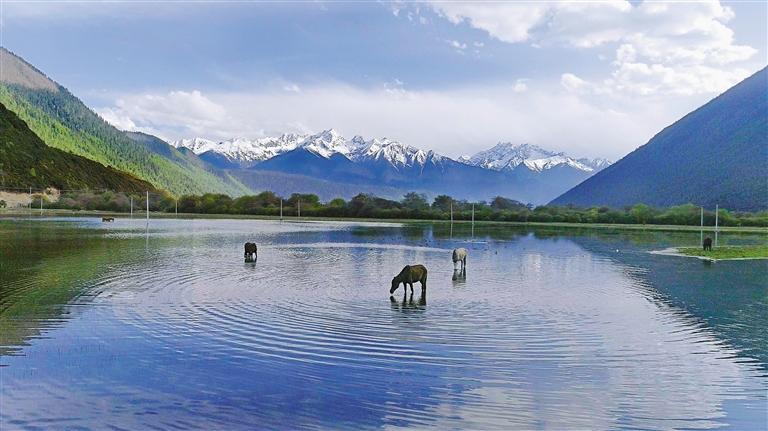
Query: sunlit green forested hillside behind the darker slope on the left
point(62, 121)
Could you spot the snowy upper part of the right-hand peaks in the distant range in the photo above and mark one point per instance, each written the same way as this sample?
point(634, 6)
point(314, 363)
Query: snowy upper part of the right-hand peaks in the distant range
point(507, 156)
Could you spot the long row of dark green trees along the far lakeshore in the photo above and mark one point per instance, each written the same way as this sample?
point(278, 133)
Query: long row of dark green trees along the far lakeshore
point(412, 206)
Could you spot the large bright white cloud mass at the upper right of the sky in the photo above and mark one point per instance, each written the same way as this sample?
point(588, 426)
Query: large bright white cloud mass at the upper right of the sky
point(663, 47)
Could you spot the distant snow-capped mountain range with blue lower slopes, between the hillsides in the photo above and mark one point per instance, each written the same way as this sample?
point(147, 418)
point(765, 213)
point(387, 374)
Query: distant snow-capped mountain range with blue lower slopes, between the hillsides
point(524, 172)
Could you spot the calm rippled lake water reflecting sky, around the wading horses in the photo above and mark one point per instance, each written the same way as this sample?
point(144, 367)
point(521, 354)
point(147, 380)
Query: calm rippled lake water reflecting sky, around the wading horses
point(116, 326)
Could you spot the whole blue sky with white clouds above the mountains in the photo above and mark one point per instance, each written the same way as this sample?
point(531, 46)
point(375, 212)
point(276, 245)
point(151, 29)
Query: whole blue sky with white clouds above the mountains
point(591, 78)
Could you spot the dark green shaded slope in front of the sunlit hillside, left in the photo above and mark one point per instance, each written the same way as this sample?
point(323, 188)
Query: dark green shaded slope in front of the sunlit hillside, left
point(25, 161)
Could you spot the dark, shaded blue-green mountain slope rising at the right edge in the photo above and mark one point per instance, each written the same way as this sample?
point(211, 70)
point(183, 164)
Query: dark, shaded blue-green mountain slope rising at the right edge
point(716, 155)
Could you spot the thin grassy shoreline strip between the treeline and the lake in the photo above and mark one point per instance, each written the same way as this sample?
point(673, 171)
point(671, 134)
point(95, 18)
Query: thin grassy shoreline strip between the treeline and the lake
point(36, 213)
